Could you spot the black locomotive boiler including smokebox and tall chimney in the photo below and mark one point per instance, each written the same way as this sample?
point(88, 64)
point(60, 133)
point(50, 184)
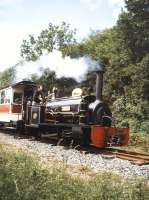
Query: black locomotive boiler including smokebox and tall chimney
point(80, 109)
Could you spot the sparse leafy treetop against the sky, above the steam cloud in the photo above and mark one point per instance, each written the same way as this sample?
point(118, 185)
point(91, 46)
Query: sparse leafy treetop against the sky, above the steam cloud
point(54, 37)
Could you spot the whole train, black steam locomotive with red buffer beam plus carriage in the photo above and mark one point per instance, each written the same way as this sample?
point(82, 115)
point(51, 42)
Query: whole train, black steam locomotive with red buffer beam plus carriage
point(86, 119)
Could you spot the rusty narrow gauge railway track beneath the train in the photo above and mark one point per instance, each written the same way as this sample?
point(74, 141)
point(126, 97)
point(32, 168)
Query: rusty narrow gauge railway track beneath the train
point(107, 153)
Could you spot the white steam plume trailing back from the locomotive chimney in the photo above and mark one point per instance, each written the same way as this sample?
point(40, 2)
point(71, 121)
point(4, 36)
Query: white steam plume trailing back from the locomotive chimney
point(63, 66)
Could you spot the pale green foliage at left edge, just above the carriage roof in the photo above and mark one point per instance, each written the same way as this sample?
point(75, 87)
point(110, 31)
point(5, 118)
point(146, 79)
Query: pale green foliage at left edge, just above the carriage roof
point(7, 77)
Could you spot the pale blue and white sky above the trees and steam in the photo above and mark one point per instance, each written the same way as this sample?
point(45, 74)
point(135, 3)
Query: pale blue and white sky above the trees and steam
point(19, 18)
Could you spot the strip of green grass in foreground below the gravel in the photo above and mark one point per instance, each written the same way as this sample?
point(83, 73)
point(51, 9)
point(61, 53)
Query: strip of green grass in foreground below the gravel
point(23, 178)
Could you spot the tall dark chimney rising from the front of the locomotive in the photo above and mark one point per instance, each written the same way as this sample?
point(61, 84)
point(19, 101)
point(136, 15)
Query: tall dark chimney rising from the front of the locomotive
point(99, 84)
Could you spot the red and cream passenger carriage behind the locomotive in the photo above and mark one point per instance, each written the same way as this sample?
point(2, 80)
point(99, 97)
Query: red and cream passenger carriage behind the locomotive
point(13, 101)
